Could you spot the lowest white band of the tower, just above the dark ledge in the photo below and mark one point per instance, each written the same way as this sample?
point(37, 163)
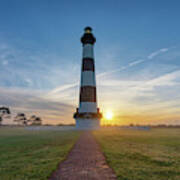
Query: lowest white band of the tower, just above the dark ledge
point(87, 107)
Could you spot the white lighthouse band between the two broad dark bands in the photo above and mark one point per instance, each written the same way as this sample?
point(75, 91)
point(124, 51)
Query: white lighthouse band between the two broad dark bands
point(88, 78)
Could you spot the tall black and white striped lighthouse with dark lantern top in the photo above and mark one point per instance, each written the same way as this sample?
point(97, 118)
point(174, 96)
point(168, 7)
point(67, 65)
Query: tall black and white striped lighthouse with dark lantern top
point(87, 115)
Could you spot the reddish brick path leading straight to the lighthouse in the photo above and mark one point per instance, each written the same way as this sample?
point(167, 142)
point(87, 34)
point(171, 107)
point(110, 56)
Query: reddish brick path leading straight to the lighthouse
point(84, 162)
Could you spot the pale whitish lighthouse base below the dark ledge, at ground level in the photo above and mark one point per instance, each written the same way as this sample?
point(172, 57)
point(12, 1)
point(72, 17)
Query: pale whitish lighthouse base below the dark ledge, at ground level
point(87, 124)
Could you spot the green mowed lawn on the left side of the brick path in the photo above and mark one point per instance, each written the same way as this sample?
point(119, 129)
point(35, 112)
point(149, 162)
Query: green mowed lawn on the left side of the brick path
point(32, 155)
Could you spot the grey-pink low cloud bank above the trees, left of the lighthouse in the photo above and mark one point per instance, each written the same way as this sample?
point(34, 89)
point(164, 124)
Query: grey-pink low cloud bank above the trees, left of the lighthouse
point(31, 102)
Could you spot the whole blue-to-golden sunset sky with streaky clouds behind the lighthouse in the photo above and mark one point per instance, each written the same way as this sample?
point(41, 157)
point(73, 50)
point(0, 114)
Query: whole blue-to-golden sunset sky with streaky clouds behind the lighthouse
point(137, 58)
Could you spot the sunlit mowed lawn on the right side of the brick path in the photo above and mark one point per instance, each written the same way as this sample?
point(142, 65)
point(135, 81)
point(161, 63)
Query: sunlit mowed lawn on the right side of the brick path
point(140, 154)
